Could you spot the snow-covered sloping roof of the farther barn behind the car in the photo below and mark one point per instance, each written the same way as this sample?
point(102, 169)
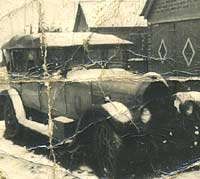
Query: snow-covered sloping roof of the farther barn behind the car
point(114, 13)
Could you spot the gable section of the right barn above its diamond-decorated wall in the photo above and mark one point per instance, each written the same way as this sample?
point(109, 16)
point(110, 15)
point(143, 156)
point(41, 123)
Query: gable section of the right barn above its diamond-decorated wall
point(174, 10)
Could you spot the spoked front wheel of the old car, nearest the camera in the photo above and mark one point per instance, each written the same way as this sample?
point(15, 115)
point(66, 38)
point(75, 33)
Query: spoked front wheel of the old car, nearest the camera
point(107, 145)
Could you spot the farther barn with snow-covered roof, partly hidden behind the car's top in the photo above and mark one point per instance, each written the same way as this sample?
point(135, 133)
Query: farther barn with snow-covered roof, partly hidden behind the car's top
point(119, 18)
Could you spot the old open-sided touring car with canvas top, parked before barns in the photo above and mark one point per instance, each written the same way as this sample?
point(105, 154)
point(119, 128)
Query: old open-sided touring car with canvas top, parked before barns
point(112, 108)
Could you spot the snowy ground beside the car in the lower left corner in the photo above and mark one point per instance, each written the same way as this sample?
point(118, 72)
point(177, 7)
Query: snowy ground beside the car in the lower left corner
point(18, 163)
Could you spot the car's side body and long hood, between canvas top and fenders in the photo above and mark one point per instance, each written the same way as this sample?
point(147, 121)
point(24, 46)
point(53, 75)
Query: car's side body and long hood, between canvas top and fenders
point(82, 89)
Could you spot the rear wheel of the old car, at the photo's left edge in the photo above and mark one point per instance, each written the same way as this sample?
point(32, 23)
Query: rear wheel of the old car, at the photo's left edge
point(12, 126)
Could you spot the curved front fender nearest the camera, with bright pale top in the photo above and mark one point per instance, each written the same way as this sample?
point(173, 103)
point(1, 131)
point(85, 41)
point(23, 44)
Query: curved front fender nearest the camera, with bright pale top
point(116, 113)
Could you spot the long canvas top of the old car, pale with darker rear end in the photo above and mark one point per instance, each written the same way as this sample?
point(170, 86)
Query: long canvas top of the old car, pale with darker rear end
point(63, 40)
